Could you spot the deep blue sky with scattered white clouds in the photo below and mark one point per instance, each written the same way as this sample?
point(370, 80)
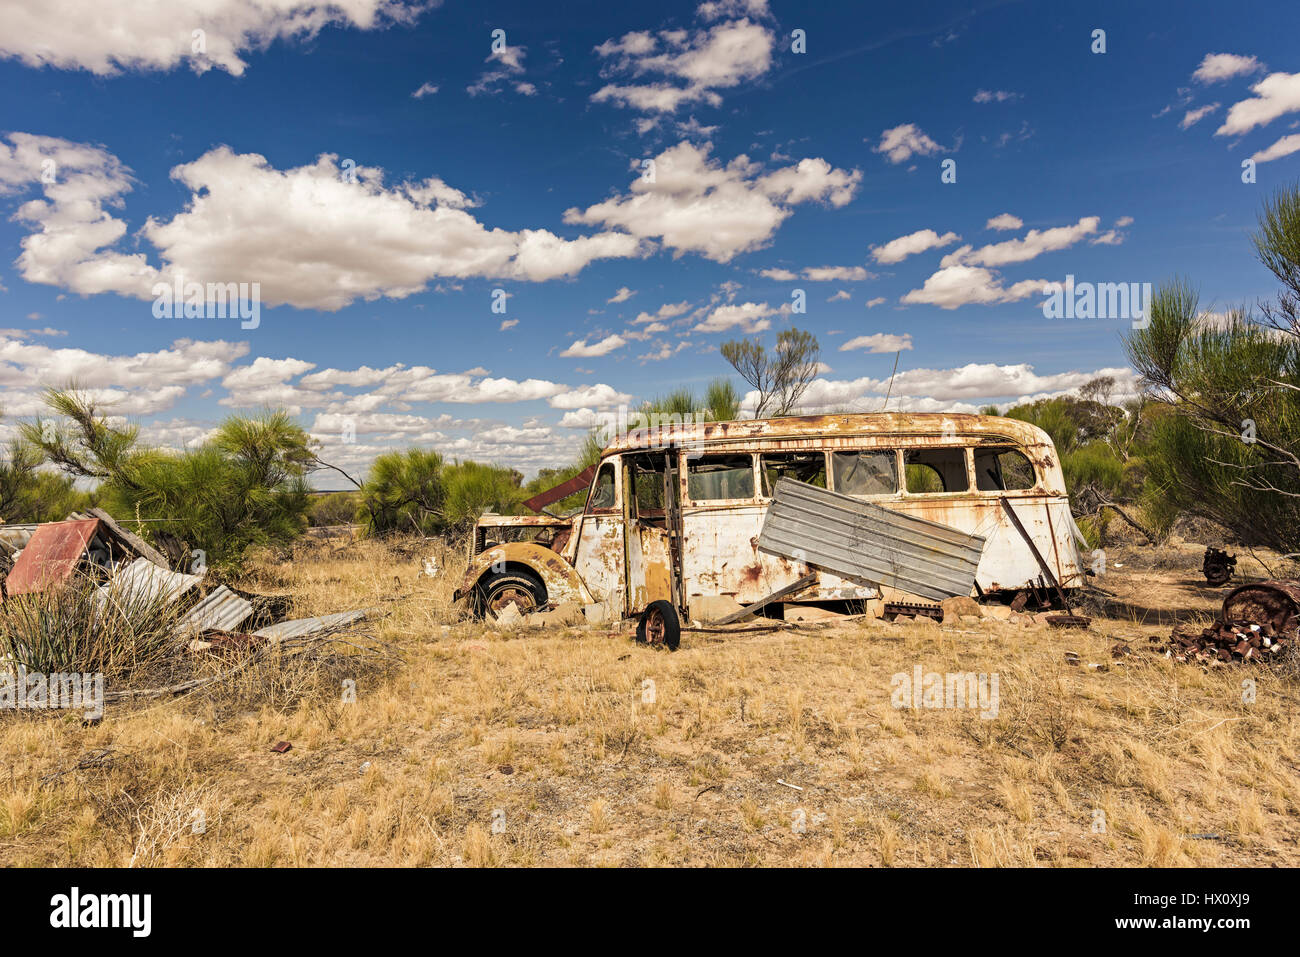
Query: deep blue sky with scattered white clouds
point(128, 158)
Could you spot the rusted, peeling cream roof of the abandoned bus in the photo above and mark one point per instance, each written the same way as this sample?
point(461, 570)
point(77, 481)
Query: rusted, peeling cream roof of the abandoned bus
point(987, 428)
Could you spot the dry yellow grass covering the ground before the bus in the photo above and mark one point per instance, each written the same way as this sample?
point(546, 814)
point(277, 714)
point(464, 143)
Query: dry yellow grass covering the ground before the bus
point(492, 748)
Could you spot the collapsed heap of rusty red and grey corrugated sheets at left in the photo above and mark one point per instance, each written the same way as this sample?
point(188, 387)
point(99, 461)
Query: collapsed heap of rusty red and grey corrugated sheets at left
point(46, 556)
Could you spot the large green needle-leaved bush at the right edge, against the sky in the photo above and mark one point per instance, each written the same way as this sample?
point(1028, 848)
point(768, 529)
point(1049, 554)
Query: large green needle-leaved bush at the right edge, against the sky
point(1229, 451)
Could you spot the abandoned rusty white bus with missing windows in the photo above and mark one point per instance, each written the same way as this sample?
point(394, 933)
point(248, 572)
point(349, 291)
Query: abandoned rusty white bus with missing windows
point(674, 517)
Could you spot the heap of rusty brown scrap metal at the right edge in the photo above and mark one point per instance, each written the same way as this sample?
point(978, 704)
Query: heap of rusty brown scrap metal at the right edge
point(1259, 622)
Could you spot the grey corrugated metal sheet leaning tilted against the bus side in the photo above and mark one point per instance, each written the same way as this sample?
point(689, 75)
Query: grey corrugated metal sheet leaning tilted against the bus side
point(853, 538)
